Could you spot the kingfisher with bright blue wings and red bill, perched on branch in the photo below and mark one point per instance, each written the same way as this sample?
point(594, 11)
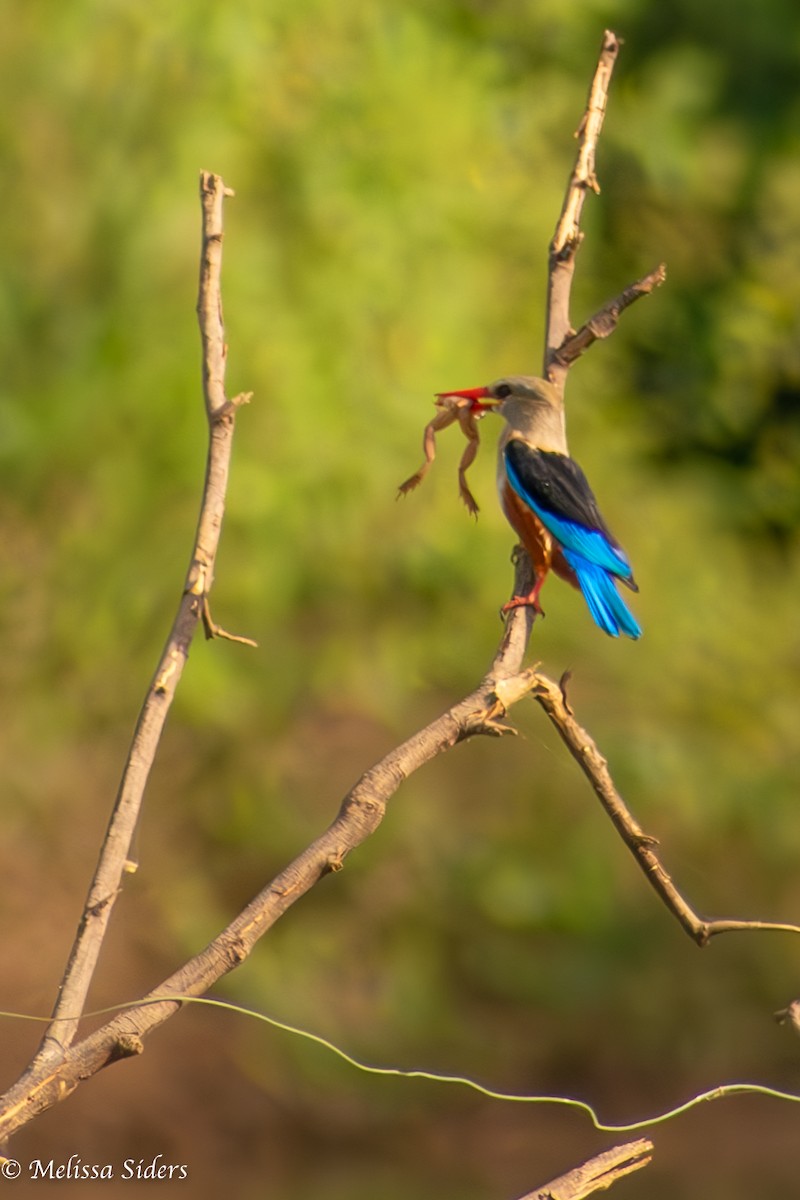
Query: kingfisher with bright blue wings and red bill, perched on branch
point(550, 505)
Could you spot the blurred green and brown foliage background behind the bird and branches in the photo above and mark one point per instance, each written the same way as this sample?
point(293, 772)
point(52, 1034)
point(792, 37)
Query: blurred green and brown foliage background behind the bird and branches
point(399, 171)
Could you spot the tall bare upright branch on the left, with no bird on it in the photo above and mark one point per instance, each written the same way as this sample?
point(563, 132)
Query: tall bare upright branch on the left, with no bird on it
point(115, 861)
